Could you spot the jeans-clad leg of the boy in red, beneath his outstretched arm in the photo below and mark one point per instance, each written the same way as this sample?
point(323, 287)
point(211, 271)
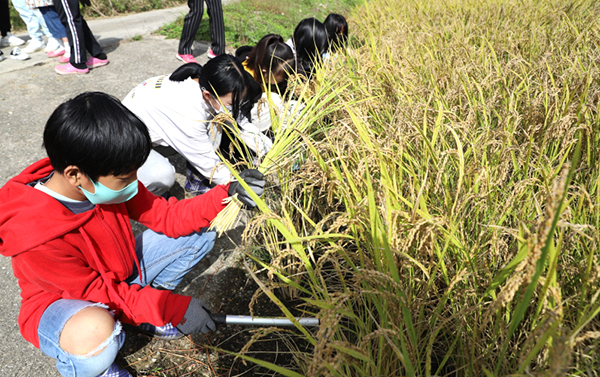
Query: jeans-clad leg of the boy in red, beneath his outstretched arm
point(165, 261)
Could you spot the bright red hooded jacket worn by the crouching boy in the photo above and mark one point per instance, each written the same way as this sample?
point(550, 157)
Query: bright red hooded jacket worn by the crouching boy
point(88, 256)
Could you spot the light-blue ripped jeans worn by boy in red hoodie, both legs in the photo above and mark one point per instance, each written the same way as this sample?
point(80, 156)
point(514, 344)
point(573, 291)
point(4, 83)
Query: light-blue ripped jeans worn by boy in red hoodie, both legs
point(164, 262)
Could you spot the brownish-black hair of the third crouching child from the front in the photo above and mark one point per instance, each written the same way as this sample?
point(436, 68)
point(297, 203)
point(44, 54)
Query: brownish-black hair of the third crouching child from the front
point(271, 54)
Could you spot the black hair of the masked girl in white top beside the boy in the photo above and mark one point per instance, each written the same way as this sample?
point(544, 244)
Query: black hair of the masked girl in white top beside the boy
point(220, 76)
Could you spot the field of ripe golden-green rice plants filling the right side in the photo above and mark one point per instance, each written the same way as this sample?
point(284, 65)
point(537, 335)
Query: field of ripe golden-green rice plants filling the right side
point(435, 203)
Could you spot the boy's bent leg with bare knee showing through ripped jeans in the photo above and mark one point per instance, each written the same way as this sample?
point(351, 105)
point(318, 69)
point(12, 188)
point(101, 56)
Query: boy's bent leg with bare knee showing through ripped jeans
point(82, 336)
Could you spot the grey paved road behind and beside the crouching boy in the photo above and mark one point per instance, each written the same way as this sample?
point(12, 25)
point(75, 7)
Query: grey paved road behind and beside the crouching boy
point(29, 92)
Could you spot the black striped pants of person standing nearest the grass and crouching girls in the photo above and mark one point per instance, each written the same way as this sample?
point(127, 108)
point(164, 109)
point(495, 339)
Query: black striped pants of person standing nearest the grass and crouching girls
point(191, 22)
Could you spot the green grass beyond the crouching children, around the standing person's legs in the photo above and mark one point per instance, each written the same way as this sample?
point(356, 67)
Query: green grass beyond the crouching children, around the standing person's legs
point(247, 21)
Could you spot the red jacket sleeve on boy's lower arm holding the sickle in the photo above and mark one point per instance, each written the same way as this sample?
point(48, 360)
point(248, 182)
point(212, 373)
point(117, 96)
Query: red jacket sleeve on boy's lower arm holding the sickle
point(62, 269)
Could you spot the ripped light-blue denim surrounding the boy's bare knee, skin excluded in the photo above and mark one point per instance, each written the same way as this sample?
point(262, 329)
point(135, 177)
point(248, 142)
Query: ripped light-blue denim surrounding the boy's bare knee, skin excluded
point(96, 361)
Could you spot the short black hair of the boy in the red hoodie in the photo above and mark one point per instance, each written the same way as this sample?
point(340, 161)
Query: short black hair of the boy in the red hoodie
point(96, 133)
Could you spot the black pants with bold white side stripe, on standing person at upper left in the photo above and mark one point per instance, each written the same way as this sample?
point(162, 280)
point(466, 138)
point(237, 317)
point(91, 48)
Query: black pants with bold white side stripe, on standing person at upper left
point(79, 34)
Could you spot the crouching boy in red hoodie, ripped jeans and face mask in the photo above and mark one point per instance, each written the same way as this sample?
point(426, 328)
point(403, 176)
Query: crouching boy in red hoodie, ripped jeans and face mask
point(65, 222)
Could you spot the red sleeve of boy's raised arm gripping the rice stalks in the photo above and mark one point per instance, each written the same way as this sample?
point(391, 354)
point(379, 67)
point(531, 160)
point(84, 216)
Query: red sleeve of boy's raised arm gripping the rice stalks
point(175, 218)
